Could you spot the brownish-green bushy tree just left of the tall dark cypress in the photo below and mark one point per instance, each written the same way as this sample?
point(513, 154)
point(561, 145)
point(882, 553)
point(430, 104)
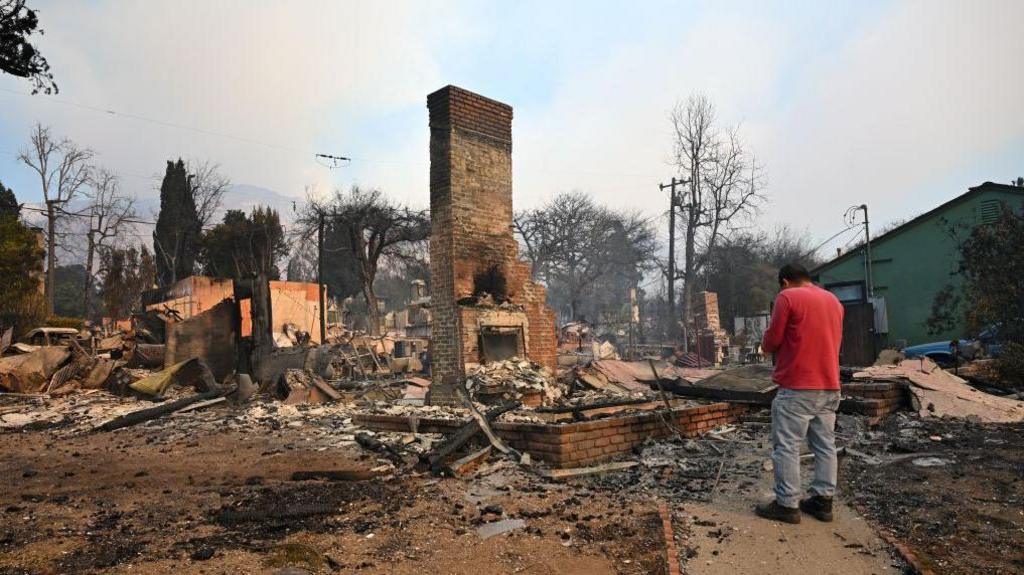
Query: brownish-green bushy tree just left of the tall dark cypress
point(126, 274)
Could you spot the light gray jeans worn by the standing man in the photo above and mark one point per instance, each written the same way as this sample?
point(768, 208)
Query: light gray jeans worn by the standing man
point(797, 415)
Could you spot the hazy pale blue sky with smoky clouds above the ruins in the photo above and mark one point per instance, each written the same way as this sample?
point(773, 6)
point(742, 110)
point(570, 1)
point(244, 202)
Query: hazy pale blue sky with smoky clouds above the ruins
point(899, 105)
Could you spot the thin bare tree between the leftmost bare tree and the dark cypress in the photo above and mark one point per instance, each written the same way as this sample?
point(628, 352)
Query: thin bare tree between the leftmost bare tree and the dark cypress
point(108, 213)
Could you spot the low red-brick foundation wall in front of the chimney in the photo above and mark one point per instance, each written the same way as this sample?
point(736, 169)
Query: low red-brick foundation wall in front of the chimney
point(573, 446)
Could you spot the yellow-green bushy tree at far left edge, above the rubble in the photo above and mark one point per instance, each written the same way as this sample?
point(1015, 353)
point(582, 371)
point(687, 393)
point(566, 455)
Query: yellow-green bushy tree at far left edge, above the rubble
point(22, 303)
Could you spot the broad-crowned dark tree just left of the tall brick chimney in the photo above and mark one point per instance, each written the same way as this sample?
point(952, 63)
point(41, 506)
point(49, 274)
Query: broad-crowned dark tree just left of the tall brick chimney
point(377, 230)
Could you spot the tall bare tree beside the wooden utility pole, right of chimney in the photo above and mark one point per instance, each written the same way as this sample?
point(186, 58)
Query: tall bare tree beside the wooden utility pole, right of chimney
point(724, 188)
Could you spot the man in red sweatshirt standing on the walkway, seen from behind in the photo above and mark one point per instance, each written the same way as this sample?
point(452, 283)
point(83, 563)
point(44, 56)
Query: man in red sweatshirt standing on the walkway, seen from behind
point(805, 333)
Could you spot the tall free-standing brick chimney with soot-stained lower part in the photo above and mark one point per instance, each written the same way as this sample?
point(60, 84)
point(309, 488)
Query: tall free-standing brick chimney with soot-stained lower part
point(472, 232)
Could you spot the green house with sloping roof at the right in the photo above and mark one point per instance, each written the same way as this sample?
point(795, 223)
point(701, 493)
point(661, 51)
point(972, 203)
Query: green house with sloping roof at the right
point(913, 262)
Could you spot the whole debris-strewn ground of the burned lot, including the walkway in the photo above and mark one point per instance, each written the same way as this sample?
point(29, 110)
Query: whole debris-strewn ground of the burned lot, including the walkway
point(612, 467)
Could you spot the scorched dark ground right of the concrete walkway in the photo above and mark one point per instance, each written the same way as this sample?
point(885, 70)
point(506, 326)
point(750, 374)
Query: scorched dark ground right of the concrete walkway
point(953, 491)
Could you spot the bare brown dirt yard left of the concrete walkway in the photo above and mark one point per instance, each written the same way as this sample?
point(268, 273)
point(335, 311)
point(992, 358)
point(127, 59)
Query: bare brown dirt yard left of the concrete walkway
point(151, 500)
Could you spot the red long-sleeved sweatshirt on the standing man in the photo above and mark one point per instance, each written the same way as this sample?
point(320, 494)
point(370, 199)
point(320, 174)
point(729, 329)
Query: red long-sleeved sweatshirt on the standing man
point(805, 334)
